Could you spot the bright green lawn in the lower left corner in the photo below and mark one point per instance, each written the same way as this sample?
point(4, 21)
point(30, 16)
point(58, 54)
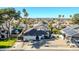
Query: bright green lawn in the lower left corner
point(7, 43)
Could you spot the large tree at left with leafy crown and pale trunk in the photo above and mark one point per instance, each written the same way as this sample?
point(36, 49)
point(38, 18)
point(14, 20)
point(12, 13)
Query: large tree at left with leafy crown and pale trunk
point(6, 15)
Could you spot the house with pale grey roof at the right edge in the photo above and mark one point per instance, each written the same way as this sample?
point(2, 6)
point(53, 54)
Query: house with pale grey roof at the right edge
point(71, 33)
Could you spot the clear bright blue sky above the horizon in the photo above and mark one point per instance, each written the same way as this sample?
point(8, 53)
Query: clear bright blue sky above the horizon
point(49, 12)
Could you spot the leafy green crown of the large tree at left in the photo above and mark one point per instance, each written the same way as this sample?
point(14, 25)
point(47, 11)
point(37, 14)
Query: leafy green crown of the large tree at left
point(8, 14)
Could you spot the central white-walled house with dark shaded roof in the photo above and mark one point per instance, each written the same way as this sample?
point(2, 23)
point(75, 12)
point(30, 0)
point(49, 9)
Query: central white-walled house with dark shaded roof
point(39, 31)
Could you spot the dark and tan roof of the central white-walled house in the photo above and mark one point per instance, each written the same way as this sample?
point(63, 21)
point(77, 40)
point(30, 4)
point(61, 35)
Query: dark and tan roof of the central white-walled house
point(37, 30)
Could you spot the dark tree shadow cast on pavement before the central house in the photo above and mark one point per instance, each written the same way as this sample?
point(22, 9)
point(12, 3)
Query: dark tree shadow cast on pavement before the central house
point(38, 43)
